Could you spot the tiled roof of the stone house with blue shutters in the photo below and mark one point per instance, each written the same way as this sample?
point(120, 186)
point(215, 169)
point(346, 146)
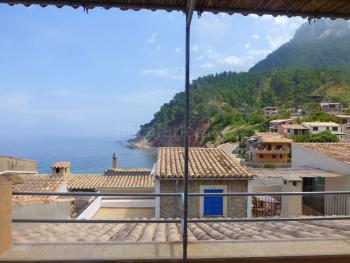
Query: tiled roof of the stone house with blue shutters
point(203, 163)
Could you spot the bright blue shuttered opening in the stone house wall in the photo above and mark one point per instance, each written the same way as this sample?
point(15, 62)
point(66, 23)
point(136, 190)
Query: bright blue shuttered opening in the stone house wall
point(213, 205)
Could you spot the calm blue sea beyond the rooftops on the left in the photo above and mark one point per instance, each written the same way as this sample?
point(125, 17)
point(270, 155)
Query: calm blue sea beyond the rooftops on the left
point(87, 155)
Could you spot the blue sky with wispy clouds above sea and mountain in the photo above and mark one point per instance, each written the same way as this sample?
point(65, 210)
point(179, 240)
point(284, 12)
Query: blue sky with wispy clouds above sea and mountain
point(64, 72)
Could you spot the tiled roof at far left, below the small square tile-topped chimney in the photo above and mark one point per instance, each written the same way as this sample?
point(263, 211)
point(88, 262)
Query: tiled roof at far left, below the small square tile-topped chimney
point(37, 183)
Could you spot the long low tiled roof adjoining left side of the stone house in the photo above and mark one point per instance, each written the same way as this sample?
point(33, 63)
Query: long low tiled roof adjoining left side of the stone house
point(90, 182)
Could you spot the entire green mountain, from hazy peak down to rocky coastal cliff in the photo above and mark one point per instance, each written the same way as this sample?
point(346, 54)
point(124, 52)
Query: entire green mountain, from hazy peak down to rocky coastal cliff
point(312, 67)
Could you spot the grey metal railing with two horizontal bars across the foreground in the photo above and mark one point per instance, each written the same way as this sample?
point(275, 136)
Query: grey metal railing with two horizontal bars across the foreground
point(181, 195)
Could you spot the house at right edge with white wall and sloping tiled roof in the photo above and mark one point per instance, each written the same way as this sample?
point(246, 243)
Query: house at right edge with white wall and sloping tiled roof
point(333, 158)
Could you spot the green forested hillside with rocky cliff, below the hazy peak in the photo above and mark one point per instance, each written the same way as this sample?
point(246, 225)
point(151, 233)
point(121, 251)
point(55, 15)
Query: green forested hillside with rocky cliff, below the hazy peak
point(234, 102)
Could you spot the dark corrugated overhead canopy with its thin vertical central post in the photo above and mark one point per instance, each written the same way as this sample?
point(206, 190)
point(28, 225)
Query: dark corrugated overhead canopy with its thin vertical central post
point(311, 9)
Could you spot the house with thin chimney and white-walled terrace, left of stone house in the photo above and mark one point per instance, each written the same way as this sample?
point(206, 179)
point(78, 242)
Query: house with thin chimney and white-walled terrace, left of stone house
point(114, 180)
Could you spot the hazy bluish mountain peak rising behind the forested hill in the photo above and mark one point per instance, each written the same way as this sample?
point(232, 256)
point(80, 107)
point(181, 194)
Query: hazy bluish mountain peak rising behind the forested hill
point(320, 44)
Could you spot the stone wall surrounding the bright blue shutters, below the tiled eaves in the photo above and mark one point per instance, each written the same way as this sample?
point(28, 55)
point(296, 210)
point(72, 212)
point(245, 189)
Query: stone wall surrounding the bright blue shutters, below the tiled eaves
point(171, 207)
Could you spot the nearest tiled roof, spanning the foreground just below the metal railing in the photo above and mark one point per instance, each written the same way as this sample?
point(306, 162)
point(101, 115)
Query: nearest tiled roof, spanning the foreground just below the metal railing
point(169, 232)
